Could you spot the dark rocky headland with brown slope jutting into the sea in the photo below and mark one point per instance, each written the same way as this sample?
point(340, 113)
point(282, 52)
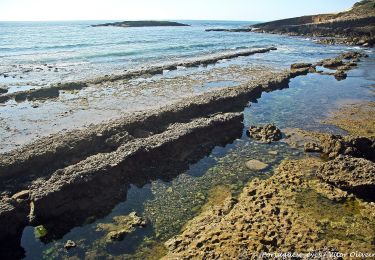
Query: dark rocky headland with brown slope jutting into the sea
point(353, 27)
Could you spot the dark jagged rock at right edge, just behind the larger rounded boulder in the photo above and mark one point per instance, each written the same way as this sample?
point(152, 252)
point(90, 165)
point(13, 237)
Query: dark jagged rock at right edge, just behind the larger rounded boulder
point(361, 147)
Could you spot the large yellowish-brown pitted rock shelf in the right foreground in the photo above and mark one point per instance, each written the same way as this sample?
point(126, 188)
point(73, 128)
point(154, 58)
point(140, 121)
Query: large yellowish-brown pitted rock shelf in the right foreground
point(277, 214)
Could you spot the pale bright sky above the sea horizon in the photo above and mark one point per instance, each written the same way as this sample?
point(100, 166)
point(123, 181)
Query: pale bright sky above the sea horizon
point(247, 10)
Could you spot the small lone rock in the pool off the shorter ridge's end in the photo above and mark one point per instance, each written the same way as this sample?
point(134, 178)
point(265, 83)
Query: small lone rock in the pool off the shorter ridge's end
point(267, 133)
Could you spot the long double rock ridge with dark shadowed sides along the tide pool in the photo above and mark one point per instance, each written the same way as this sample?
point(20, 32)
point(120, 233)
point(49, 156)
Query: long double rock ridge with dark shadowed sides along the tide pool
point(41, 180)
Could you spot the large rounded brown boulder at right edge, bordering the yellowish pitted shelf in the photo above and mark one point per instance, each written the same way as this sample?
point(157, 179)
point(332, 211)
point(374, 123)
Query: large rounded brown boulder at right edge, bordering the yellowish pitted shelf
point(356, 175)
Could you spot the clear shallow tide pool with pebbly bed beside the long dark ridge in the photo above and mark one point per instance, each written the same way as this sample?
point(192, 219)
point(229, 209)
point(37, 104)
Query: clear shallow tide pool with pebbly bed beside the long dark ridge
point(168, 205)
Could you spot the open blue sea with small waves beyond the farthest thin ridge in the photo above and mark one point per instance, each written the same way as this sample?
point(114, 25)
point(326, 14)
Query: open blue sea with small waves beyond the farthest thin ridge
point(40, 53)
